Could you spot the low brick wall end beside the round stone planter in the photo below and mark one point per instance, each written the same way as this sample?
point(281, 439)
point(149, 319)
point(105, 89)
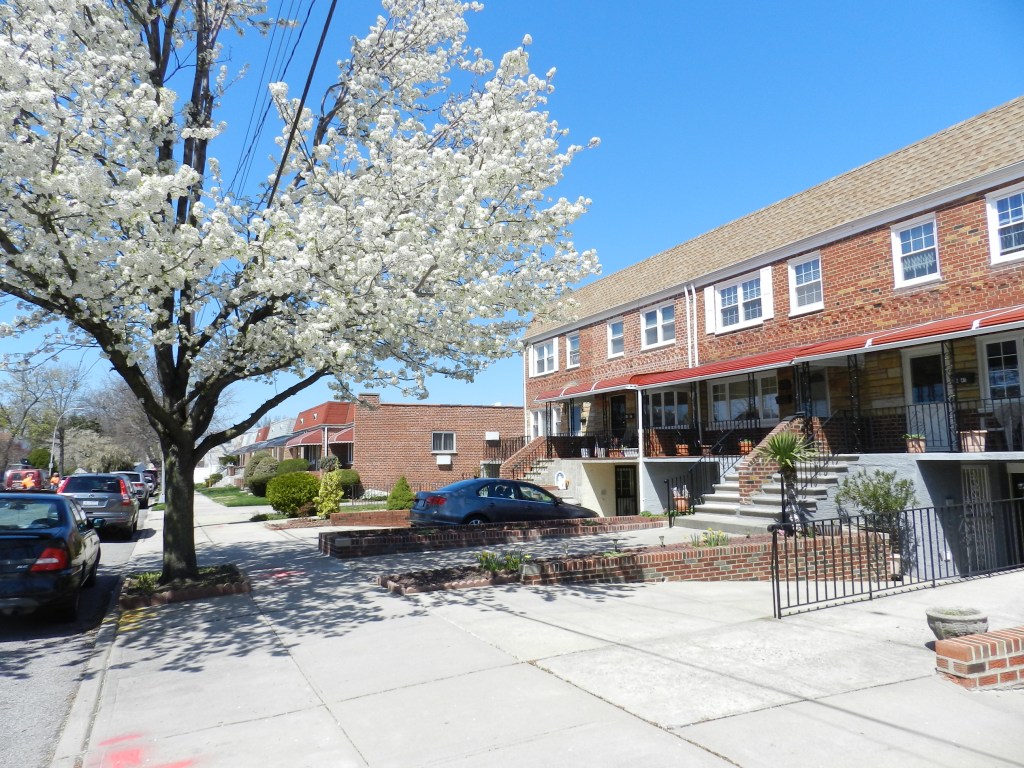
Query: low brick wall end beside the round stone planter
point(990, 660)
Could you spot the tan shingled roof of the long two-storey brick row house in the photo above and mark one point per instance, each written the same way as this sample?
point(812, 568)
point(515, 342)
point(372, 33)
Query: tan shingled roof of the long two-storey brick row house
point(967, 151)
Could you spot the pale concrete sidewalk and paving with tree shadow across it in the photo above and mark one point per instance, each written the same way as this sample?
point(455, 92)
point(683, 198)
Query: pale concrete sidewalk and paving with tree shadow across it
point(318, 667)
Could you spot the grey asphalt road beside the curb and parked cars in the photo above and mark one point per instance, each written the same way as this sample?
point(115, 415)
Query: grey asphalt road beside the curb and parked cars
point(41, 664)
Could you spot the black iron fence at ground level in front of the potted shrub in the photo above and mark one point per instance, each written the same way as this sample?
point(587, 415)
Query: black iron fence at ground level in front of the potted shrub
point(830, 562)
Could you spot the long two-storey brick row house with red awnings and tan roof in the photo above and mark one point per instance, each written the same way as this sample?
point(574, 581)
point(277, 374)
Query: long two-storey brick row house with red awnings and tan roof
point(886, 303)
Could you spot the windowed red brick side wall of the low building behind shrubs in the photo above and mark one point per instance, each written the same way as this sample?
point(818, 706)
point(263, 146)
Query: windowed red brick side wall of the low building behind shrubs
point(395, 440)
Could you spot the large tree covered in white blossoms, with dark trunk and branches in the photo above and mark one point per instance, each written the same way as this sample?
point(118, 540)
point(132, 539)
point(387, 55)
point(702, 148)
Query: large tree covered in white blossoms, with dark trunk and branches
point(410, 232)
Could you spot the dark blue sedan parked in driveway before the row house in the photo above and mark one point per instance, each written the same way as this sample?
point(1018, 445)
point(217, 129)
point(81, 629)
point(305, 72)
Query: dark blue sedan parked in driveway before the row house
point(491, 500)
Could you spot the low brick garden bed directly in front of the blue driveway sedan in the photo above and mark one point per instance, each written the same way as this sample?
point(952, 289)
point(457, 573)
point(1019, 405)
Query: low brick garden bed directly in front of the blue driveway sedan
point(399, 541)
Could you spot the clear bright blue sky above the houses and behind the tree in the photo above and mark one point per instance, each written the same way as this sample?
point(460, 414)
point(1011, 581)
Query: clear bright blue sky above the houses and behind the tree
point(710, 111)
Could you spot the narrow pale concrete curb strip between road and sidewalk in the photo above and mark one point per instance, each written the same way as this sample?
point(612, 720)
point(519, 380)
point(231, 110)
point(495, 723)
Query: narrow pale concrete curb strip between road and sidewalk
point(78, 726)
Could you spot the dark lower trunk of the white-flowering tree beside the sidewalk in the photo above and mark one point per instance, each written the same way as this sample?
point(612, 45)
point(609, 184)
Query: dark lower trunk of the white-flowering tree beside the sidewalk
point(180, 532)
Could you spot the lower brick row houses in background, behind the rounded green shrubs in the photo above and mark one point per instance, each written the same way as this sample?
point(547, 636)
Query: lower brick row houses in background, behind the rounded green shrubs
point(430, 445)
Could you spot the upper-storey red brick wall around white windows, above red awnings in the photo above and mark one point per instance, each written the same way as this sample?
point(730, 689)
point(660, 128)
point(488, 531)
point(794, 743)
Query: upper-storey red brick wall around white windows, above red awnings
point(860, 293)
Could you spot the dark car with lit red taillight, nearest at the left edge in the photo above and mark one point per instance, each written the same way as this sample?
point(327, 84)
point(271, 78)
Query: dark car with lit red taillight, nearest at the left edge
point(50, 550)
